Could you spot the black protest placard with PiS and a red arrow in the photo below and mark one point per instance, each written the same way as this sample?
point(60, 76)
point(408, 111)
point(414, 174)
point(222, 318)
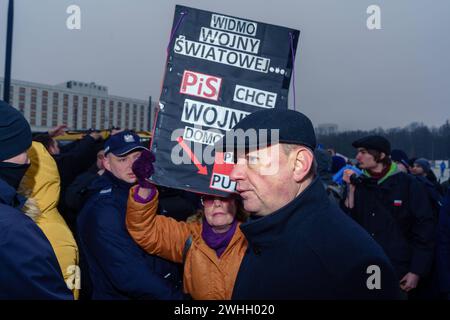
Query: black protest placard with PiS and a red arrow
point(219, 69)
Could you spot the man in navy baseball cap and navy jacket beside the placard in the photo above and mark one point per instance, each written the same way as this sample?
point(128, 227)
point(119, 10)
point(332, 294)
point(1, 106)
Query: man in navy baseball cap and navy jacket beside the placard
point(118, 268)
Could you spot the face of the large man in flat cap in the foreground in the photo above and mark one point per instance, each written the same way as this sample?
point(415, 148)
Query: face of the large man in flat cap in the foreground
point(265, 179)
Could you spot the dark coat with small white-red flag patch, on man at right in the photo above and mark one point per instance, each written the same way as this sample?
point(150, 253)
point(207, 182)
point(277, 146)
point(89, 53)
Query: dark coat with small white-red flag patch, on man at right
point(396, 211)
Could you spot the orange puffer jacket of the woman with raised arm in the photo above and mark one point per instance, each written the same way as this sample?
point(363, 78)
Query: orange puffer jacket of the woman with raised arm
point(206, 277)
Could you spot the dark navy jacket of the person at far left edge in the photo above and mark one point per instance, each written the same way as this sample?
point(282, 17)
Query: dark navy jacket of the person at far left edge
point(28, 266)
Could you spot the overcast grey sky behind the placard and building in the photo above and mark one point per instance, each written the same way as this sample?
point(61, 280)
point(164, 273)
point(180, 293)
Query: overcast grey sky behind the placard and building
point(345, 73)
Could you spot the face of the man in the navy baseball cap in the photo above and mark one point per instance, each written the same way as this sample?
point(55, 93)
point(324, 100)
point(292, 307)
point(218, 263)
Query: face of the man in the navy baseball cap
point(120, 167)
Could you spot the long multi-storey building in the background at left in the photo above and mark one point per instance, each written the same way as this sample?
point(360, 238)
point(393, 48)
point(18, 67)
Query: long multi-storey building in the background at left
point(79, 105)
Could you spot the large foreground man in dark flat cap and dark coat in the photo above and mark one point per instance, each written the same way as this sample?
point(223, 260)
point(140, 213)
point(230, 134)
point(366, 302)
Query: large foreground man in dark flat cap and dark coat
point(300, 244)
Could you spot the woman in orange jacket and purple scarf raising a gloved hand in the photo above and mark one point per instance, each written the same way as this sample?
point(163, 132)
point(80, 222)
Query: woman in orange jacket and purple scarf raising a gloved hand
point(211, 249)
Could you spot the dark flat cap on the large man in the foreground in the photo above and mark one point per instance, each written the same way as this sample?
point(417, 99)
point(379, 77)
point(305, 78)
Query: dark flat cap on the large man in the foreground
point(257, 130)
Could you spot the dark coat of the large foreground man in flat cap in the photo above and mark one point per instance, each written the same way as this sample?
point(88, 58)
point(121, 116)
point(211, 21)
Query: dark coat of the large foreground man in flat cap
point(310, 249)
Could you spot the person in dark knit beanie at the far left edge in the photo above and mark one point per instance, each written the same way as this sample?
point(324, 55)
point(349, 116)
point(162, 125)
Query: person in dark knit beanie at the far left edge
point(28, 265)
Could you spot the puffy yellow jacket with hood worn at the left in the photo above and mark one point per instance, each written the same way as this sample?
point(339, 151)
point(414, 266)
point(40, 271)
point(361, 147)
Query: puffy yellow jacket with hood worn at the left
point(41, 184)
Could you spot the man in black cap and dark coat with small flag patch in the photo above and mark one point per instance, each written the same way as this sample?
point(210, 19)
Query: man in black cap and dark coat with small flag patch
point(394, 208)
